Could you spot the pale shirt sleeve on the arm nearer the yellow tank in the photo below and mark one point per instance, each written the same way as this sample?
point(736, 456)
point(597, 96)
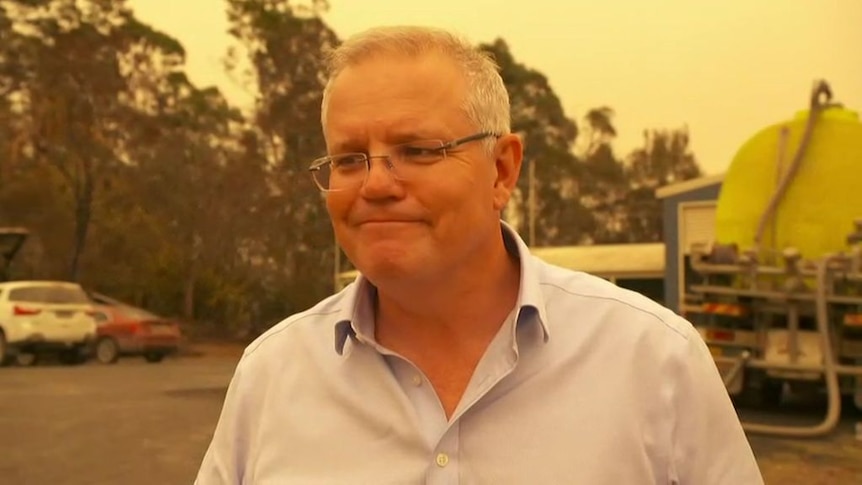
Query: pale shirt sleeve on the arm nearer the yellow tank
point(709, 445)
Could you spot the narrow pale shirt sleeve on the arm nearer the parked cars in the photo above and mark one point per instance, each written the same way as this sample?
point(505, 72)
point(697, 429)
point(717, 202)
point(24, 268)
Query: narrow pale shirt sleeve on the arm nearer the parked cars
point(223, 462)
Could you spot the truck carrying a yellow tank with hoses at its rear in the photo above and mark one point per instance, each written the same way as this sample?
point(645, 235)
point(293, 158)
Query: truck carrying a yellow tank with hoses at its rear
point(778, 290)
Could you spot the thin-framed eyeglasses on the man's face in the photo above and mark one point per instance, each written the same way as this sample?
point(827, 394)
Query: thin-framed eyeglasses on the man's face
point(406, 161)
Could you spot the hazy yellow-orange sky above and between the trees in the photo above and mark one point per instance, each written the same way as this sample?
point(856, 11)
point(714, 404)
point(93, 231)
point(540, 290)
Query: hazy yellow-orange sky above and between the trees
point(726, 69)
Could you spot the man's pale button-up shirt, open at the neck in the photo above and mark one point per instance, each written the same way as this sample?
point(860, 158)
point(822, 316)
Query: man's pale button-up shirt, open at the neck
point(585, 383)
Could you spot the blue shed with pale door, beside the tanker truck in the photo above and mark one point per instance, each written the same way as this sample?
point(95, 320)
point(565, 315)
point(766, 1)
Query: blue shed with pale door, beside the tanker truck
point(688, 212)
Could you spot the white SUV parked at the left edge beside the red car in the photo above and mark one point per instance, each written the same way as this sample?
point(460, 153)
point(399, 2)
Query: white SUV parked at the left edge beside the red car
point(45, 316)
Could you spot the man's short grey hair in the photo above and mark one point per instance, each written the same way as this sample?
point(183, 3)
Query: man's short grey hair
point(487, 101)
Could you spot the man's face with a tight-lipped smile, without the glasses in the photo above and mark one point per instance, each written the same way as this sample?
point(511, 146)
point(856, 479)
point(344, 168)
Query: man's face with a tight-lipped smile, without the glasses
point(427, 226)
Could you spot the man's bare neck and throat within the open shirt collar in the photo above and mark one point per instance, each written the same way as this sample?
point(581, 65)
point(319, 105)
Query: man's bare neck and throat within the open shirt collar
point(445, 329)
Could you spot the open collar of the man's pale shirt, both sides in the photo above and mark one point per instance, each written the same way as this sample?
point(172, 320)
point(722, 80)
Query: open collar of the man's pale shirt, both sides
point(355, 319)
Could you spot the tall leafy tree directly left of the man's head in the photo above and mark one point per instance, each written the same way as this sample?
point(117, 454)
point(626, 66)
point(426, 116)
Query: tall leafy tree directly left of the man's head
point(285, 47)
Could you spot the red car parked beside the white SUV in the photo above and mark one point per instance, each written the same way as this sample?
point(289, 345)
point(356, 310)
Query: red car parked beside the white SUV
point(125, 330)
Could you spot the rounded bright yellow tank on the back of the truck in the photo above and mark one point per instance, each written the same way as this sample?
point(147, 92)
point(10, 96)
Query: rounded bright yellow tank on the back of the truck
point(817, 211)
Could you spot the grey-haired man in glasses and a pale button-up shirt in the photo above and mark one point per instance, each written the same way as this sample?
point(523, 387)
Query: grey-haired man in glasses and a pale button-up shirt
point(457, 357)
